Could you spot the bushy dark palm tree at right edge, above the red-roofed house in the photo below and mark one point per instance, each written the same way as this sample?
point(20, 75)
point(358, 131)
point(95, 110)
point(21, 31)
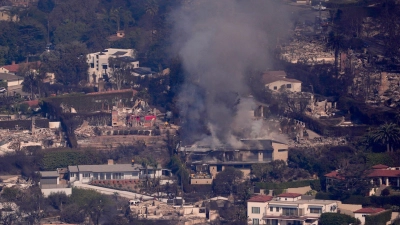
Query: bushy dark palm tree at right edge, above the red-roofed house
point(388, 133)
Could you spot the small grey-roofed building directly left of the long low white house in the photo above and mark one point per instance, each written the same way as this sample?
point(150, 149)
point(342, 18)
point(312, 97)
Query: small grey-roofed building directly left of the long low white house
point(50, 182)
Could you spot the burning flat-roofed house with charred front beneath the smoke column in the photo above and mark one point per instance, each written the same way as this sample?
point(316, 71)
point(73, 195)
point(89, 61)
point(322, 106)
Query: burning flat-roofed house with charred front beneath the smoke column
point(206, 161)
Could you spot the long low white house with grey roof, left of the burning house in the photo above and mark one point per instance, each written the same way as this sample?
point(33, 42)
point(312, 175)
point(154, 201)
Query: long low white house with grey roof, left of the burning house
point(111, 171)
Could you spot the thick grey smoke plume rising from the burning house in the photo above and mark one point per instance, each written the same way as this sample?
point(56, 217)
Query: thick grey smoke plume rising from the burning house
point(219, 41)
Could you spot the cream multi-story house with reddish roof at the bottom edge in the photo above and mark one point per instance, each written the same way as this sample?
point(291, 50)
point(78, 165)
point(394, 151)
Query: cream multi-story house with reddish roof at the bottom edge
point(287, 209)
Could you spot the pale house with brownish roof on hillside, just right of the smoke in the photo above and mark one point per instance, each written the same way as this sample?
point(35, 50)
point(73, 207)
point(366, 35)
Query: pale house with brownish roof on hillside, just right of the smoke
point(275, 80)
